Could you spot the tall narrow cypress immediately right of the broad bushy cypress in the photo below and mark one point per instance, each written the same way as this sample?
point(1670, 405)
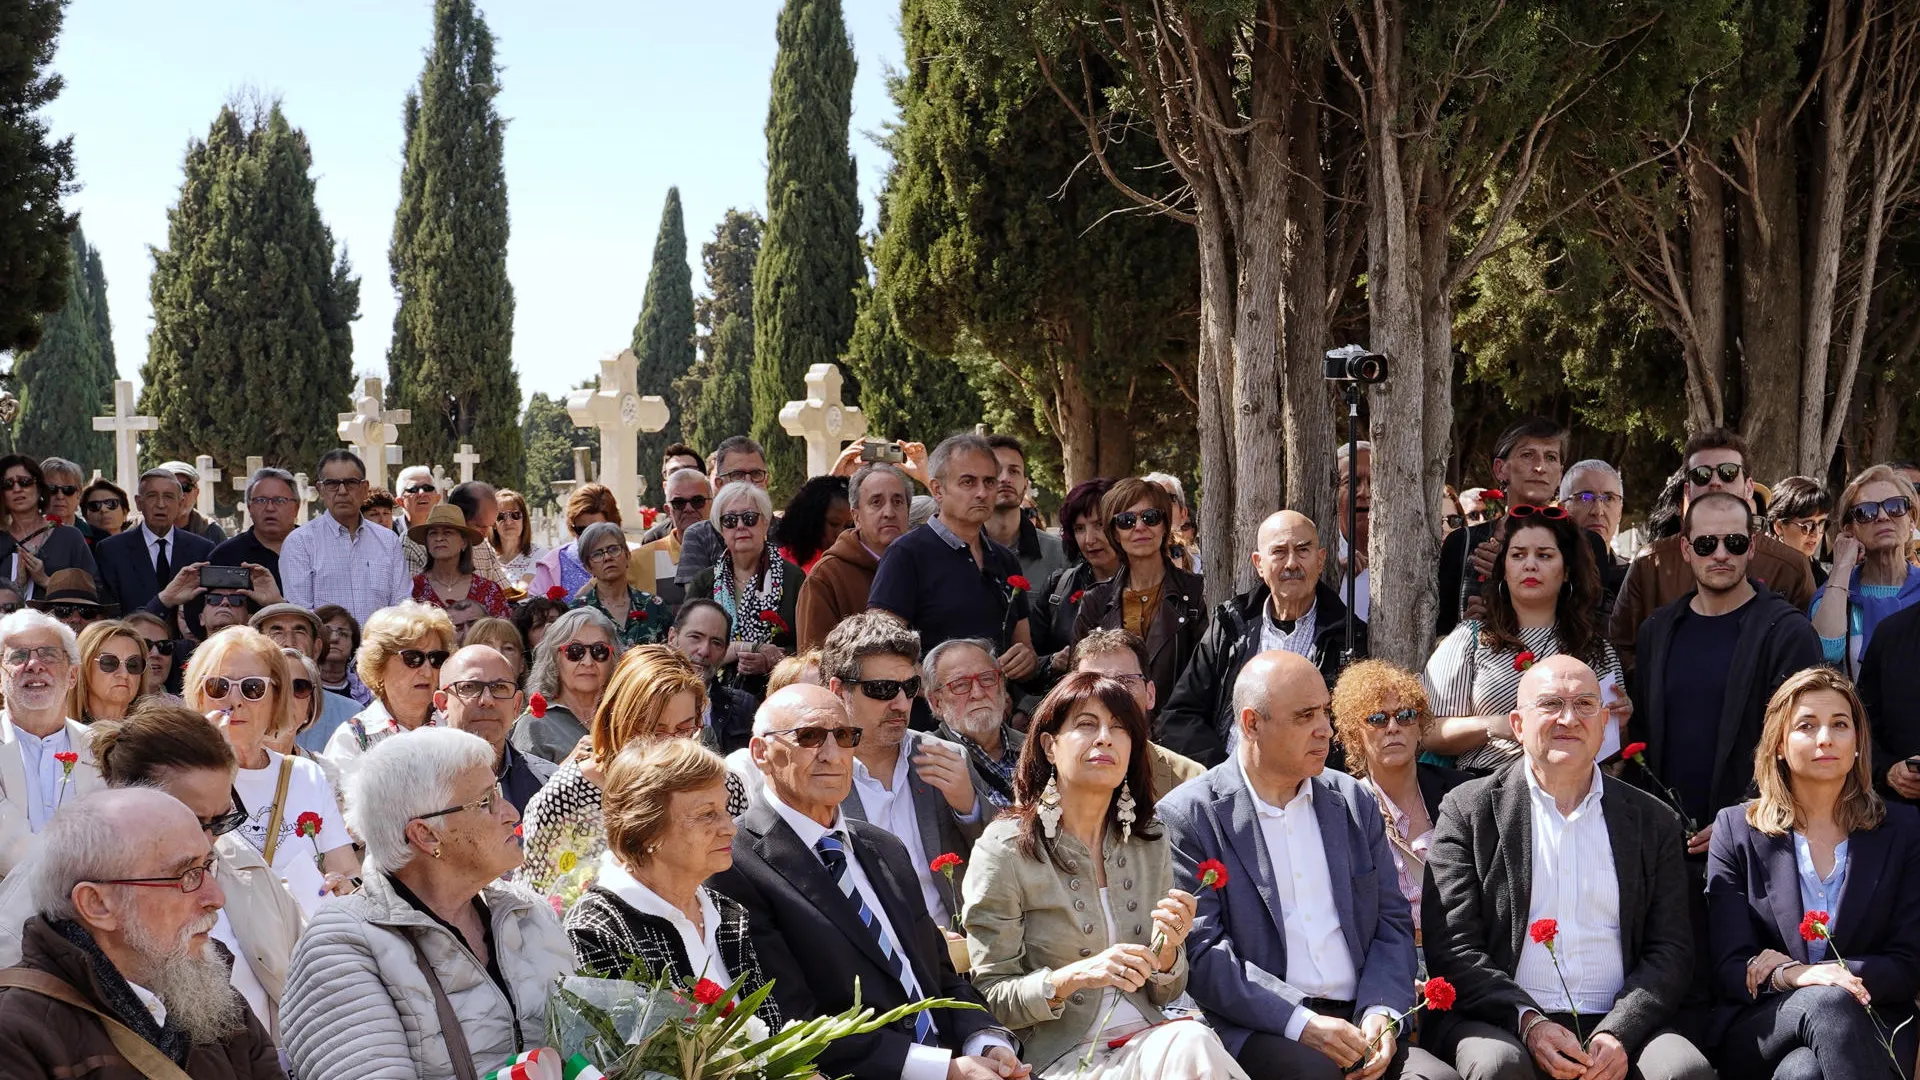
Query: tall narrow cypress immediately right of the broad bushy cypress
point(452, 355)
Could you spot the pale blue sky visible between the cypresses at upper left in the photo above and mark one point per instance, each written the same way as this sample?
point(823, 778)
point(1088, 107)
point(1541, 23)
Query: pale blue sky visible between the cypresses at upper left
point(608, 105)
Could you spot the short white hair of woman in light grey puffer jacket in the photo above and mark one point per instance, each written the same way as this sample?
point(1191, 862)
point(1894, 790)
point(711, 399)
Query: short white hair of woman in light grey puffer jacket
point(402, 779)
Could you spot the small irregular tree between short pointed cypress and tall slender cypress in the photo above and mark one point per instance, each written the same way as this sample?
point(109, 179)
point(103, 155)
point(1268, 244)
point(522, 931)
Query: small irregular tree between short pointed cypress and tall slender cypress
point(715, 397)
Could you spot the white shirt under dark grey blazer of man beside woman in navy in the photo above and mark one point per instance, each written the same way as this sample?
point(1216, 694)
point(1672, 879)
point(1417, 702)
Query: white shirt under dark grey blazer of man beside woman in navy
point(1577, 887)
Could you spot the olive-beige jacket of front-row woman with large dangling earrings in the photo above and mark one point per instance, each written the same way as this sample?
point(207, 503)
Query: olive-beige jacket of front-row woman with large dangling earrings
point(1026, 918)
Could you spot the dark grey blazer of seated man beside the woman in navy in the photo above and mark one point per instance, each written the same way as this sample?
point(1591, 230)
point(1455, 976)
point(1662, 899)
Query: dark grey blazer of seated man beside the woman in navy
point(1479, 893)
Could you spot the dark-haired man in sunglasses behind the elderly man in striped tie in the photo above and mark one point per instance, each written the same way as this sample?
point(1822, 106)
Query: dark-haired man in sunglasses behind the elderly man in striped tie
point(913, 785)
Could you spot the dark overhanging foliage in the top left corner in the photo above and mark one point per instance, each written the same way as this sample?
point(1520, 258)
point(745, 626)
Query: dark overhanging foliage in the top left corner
point(34, 174)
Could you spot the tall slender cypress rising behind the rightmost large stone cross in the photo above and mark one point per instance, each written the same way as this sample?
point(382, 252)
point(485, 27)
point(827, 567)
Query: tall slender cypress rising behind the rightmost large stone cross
point(804, 287)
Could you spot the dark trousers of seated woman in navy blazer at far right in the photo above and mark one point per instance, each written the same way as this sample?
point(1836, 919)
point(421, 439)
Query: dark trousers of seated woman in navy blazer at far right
point(1810, 1035)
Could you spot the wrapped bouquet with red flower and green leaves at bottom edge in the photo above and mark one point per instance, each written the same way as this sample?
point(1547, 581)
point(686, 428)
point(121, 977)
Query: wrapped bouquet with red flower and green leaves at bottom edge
point(652, 1029)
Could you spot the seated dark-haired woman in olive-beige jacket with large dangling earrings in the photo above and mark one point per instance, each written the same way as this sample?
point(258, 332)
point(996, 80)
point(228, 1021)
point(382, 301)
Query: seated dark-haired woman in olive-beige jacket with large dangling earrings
point(1063, 943)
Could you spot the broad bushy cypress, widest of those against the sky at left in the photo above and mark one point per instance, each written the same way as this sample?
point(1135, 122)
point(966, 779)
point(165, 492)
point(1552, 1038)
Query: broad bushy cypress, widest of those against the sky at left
point(252, 349)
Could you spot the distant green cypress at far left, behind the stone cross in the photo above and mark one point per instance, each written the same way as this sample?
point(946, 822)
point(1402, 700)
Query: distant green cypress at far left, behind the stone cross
point(68, 380)
